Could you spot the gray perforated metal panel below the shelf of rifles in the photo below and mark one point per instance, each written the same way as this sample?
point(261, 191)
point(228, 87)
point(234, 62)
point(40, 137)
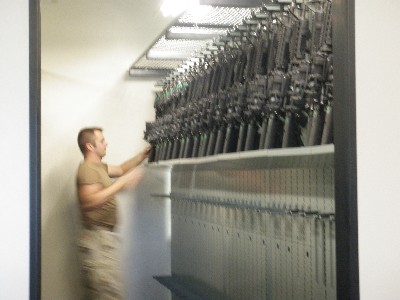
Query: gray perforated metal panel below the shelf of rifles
point(255, 233)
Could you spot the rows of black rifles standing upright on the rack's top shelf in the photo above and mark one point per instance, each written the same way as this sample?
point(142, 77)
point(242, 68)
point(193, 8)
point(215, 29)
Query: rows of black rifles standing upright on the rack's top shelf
point(266, 84)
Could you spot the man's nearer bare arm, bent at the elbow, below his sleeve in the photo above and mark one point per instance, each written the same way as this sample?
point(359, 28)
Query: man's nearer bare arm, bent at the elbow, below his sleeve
point(95, 195)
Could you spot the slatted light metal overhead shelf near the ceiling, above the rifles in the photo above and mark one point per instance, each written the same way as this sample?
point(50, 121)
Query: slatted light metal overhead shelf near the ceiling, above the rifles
point(170, 51)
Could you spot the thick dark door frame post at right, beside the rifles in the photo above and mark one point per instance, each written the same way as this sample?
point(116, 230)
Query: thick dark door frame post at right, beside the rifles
point(345, 150)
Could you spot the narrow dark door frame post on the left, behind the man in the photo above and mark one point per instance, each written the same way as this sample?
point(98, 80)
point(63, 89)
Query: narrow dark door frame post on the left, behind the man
point(34, 147)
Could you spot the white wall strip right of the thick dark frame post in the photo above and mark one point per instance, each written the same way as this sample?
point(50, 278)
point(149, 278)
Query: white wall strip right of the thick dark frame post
point(378, 147)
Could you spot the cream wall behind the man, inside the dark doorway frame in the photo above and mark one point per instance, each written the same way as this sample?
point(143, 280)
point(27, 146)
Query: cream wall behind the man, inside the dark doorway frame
point(87, 48)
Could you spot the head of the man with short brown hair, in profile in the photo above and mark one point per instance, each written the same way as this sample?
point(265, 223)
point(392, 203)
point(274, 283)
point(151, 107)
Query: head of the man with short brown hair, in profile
point(91, 139)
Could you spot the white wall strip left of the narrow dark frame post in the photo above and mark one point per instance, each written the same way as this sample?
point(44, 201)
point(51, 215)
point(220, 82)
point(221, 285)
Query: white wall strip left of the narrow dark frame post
point(14, 150)
